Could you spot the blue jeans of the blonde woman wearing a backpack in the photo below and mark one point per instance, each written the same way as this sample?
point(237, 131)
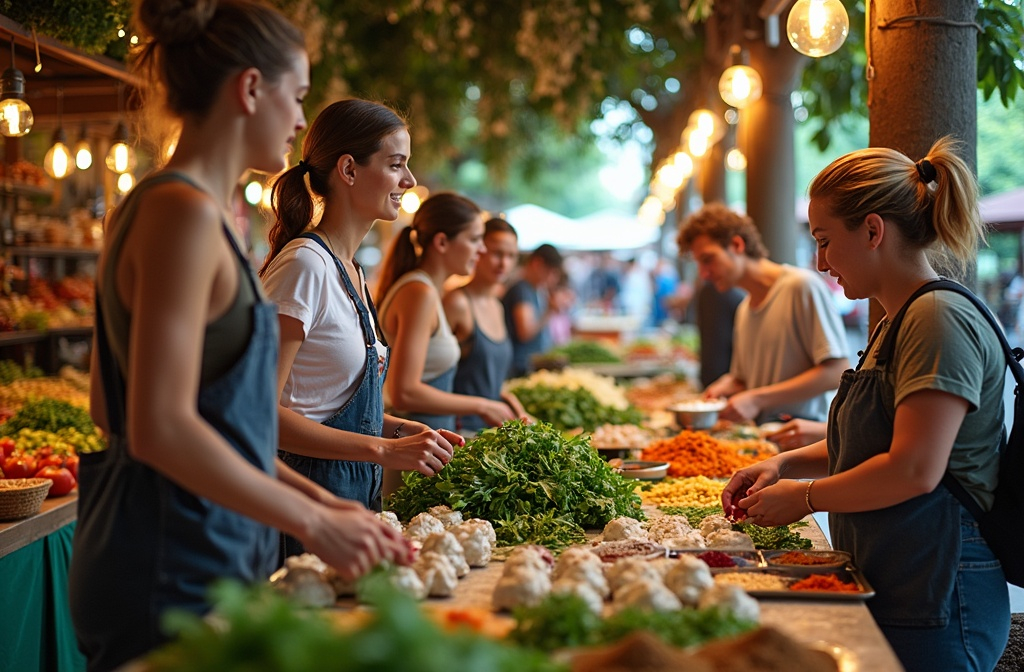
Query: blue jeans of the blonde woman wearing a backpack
point(979, 616)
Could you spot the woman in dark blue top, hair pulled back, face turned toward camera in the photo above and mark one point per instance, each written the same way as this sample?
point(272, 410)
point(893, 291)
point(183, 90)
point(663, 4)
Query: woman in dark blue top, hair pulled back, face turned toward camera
point(478, 319)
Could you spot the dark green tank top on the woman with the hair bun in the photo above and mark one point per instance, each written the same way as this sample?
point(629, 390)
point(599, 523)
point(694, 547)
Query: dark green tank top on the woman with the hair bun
point(226, 339)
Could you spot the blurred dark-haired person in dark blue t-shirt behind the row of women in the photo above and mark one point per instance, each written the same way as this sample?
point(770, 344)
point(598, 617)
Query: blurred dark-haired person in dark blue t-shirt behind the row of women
point(528, 308)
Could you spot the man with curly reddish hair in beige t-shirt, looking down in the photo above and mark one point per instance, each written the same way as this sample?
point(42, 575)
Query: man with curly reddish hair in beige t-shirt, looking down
point(790, 347)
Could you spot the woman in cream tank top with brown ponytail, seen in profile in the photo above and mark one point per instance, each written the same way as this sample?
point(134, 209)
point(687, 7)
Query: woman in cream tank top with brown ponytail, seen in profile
point(446, 239)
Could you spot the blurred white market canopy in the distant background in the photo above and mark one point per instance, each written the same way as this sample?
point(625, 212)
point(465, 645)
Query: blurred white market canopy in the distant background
point(607, 230)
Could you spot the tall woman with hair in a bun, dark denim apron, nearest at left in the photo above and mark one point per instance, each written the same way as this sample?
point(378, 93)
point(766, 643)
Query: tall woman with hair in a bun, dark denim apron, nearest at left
point(185, 356)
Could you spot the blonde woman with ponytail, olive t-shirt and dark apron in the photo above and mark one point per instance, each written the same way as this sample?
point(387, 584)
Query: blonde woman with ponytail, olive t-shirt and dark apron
point(898, 426)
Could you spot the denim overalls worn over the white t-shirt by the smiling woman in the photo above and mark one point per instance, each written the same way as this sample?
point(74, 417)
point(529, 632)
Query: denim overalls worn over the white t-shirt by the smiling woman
point(363, 413)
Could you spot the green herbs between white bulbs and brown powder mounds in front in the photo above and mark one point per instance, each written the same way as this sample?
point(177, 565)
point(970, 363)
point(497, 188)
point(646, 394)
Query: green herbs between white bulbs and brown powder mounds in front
point(563, 621)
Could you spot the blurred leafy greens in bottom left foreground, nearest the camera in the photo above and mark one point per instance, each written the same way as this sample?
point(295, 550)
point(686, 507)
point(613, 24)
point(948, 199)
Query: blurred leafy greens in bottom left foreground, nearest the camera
point(260, 632)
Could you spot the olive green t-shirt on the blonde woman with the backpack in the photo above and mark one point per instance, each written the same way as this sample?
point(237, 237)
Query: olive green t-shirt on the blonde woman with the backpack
point(947, 345)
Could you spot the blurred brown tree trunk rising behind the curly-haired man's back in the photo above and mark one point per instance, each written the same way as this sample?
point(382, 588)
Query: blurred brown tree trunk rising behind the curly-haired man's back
point(772, 200)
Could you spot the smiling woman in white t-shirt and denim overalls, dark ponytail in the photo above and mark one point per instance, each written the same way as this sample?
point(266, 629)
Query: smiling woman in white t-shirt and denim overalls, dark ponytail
point(333, 359)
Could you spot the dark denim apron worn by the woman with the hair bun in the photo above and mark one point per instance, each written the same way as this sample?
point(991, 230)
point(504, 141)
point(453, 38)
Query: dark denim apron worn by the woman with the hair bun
point(144, 544)
